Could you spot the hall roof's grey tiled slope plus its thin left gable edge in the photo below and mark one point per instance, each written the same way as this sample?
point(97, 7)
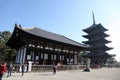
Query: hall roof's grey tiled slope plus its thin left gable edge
point(48, 35)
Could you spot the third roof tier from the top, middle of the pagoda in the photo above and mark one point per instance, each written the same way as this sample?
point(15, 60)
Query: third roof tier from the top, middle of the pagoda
point(100, 40)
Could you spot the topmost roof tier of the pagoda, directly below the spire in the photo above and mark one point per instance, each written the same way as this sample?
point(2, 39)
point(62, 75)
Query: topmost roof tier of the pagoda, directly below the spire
point(94, 27)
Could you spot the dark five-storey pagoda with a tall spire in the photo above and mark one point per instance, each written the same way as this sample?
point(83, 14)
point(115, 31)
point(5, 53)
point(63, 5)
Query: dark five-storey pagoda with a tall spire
point(97, 43)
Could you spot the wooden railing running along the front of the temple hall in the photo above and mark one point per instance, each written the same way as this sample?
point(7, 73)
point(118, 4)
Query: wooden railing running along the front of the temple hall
point(48, 68)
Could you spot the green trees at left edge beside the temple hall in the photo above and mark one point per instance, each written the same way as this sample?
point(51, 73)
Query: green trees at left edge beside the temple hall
point(6, 53)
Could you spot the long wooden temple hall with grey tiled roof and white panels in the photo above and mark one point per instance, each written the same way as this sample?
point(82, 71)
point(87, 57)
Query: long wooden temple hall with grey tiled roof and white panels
point(43, 47)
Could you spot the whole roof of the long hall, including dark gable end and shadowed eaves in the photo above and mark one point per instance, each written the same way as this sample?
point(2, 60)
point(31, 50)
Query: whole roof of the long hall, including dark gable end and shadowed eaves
point(36, 33)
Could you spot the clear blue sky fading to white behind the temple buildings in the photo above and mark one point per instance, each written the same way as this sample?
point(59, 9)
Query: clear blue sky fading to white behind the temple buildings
point(65, 17)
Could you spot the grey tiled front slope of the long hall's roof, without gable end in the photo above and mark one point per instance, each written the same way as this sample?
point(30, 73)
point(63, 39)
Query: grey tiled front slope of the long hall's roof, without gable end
point(52, 36)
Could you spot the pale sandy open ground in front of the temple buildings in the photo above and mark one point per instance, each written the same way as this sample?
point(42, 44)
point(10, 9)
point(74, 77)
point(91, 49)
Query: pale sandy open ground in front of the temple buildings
point(94, 74)
